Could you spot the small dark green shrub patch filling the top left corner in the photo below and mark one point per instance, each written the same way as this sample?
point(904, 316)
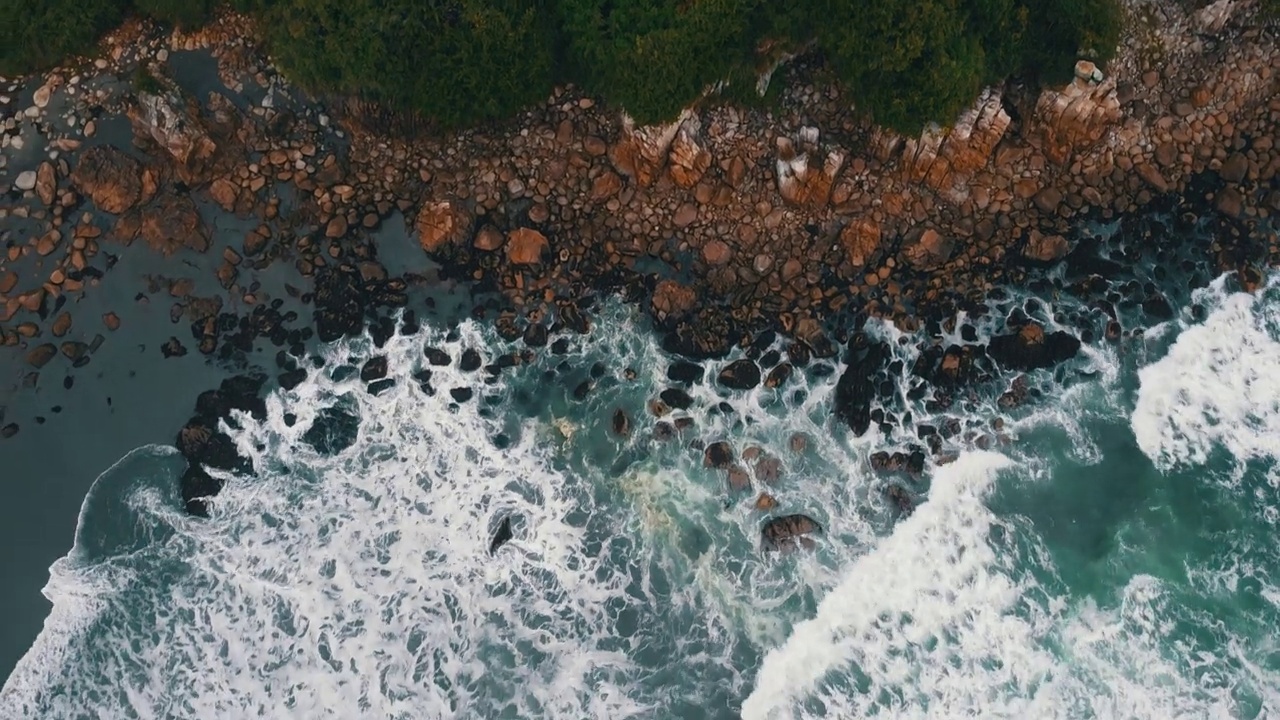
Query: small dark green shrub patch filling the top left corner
point(38, 34)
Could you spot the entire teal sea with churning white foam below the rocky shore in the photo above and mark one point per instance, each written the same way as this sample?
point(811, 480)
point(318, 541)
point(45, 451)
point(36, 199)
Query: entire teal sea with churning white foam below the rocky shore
point(1112, 557)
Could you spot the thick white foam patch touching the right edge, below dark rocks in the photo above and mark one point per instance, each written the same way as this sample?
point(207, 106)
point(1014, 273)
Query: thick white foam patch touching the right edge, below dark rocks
point(1219, 386)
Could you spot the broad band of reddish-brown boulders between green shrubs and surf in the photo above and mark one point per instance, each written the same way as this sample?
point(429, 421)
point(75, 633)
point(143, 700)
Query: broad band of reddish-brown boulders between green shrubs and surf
point(726, 226)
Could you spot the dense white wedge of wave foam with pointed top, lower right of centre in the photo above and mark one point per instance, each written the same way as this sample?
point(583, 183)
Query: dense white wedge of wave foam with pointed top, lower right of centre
point(926, 618)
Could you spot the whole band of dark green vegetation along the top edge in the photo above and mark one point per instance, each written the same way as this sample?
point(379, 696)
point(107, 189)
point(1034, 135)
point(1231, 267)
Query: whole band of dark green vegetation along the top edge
point(458, 62)
